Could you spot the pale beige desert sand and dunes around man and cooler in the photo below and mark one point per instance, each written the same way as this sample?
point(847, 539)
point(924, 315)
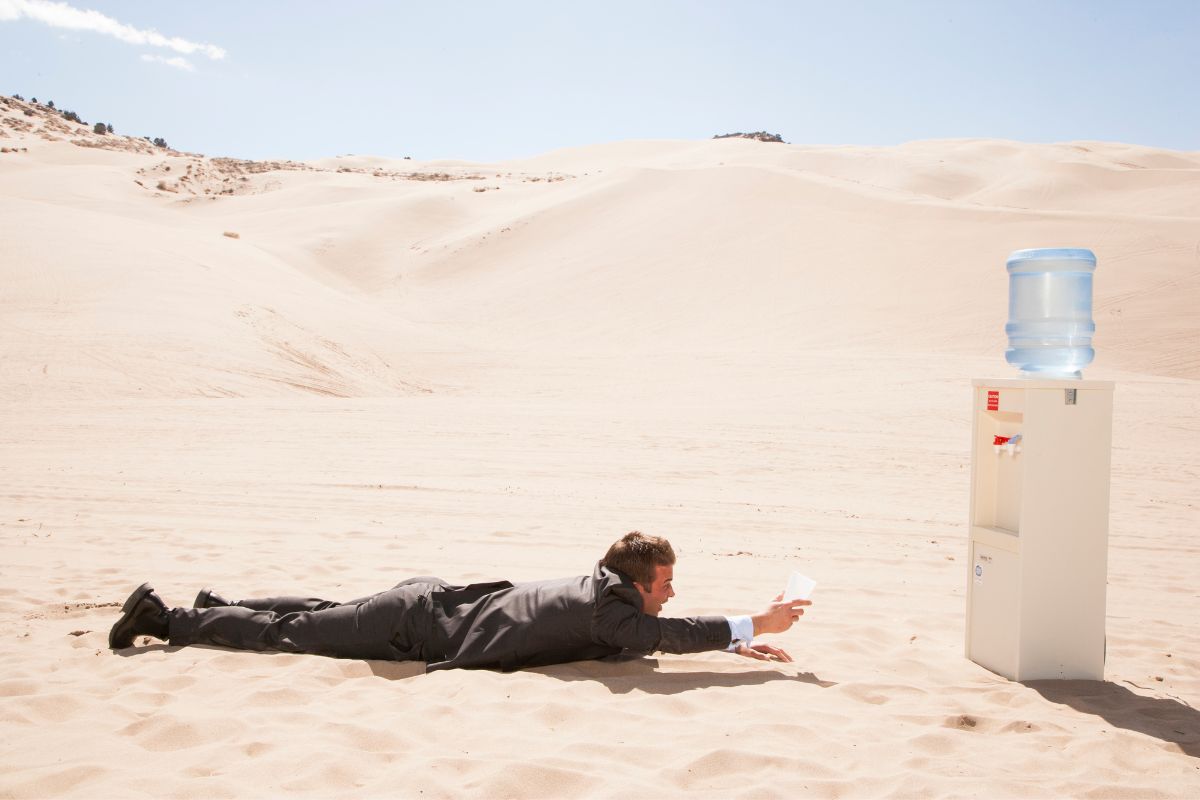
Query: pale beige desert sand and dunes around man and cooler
point(322, 378)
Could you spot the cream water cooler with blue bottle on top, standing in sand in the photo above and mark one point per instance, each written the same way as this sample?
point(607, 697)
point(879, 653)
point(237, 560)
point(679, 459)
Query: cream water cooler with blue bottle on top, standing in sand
point(1040, 515)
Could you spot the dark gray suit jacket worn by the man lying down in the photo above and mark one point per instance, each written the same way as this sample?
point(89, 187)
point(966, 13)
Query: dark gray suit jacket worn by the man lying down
point(501, 625)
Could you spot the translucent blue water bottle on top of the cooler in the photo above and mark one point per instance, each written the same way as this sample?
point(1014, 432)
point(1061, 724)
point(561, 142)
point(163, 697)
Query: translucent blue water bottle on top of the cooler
point(1051, 322)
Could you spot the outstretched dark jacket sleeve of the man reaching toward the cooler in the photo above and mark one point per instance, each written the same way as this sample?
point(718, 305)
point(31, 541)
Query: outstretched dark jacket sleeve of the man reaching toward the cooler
point(619, 622)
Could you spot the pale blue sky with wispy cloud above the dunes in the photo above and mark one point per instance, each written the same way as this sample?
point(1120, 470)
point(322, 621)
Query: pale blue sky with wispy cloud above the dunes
point(491, 81)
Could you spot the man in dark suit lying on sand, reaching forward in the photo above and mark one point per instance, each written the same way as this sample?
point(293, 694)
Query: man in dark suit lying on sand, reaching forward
point(485, 625)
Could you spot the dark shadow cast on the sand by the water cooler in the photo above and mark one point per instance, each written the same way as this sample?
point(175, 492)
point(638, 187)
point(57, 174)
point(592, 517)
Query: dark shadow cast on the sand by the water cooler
point(1169, 720)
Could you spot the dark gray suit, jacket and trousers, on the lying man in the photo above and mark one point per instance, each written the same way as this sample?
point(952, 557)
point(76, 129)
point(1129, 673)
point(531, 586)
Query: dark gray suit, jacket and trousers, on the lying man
point(490, 625)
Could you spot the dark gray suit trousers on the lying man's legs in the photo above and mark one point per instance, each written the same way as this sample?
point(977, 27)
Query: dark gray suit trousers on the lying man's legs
point(393, 625)
